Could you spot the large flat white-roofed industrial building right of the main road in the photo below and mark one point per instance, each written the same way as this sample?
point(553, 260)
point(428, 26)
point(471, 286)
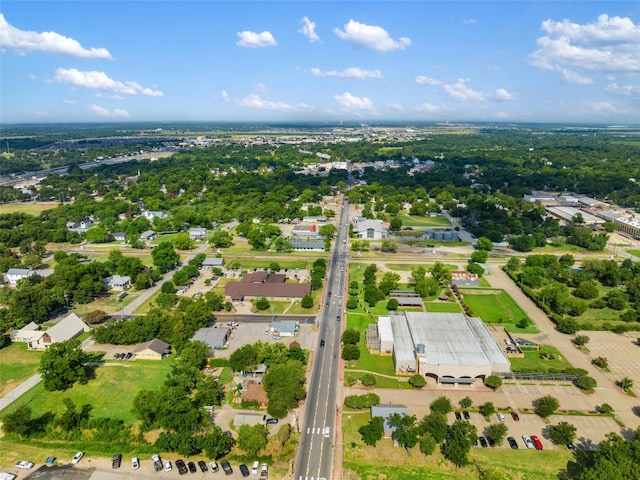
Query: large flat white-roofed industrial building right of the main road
point(449, 347)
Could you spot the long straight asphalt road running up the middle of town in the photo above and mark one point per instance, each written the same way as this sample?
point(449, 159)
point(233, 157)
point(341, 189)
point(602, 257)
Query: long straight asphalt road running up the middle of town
point(314, 460)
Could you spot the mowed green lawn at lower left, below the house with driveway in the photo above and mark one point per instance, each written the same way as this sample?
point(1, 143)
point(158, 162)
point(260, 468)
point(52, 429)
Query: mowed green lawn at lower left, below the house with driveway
point(111, 393)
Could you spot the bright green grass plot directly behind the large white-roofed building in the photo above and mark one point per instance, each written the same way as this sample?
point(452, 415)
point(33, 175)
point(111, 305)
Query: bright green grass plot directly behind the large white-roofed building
point(498, 309)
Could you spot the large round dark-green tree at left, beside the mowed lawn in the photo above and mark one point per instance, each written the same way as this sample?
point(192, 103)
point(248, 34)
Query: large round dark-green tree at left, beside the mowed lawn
point(62, 365)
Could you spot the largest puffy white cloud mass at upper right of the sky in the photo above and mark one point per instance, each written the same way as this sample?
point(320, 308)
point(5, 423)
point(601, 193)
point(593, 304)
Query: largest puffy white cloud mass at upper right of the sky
point(610, 44)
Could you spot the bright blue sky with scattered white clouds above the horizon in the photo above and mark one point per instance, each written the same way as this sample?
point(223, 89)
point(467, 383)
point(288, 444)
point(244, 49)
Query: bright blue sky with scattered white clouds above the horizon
point(96, 61)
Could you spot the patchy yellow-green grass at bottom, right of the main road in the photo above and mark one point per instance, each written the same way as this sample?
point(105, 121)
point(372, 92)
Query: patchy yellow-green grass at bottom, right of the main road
point(384, 461)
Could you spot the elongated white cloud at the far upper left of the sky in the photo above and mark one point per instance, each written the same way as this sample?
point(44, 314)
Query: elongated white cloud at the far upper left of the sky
point(24, 42)
